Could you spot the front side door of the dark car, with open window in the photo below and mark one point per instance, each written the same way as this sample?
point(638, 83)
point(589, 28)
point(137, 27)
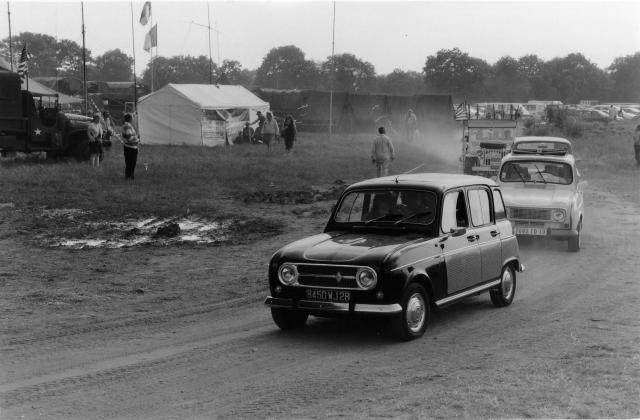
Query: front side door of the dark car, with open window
point(460, 250)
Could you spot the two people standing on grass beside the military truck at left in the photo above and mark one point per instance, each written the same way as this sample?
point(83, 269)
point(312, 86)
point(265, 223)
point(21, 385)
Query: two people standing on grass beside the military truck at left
point(100, 131)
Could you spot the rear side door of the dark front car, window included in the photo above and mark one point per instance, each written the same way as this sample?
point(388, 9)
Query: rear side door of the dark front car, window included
point(487, 233)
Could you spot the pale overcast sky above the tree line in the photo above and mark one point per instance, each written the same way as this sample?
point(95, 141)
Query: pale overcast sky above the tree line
point(388, 34)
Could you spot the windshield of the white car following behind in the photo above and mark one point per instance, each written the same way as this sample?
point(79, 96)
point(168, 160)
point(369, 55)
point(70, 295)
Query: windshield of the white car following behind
point(537, 172)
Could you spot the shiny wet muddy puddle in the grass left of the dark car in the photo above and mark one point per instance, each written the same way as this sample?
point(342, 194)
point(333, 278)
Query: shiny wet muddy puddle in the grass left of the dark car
point(118, 234)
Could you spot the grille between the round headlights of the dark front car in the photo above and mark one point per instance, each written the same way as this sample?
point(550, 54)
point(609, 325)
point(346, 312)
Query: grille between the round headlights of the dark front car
point(326, 276)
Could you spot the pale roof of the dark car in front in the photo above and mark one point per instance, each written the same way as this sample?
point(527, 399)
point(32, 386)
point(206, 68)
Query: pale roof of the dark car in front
point(438, 181)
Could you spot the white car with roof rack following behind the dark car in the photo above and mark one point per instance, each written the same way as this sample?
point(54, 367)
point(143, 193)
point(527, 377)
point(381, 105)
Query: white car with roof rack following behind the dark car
point(542, 189)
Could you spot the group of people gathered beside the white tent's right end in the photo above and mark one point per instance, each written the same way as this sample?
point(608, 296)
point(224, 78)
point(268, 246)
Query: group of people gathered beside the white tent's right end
point(268, 131)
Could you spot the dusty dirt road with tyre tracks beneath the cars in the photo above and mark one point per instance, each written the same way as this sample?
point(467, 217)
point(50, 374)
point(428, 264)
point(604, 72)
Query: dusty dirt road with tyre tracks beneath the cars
point(567, 347)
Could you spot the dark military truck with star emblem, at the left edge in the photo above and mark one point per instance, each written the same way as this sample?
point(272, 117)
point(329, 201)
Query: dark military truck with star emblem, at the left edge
point(32, 122)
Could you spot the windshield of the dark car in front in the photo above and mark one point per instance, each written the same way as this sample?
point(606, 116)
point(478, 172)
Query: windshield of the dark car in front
point(388, 206)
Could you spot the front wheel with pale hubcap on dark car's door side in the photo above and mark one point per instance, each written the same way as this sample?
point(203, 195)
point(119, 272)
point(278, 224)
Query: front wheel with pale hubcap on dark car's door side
point(412, 322)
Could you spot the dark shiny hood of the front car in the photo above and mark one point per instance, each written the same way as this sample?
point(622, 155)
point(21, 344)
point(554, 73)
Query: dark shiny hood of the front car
point(348, 247)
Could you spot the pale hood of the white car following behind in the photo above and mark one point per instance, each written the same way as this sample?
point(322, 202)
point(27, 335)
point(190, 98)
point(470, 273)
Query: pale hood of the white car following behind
point(536, 196)
